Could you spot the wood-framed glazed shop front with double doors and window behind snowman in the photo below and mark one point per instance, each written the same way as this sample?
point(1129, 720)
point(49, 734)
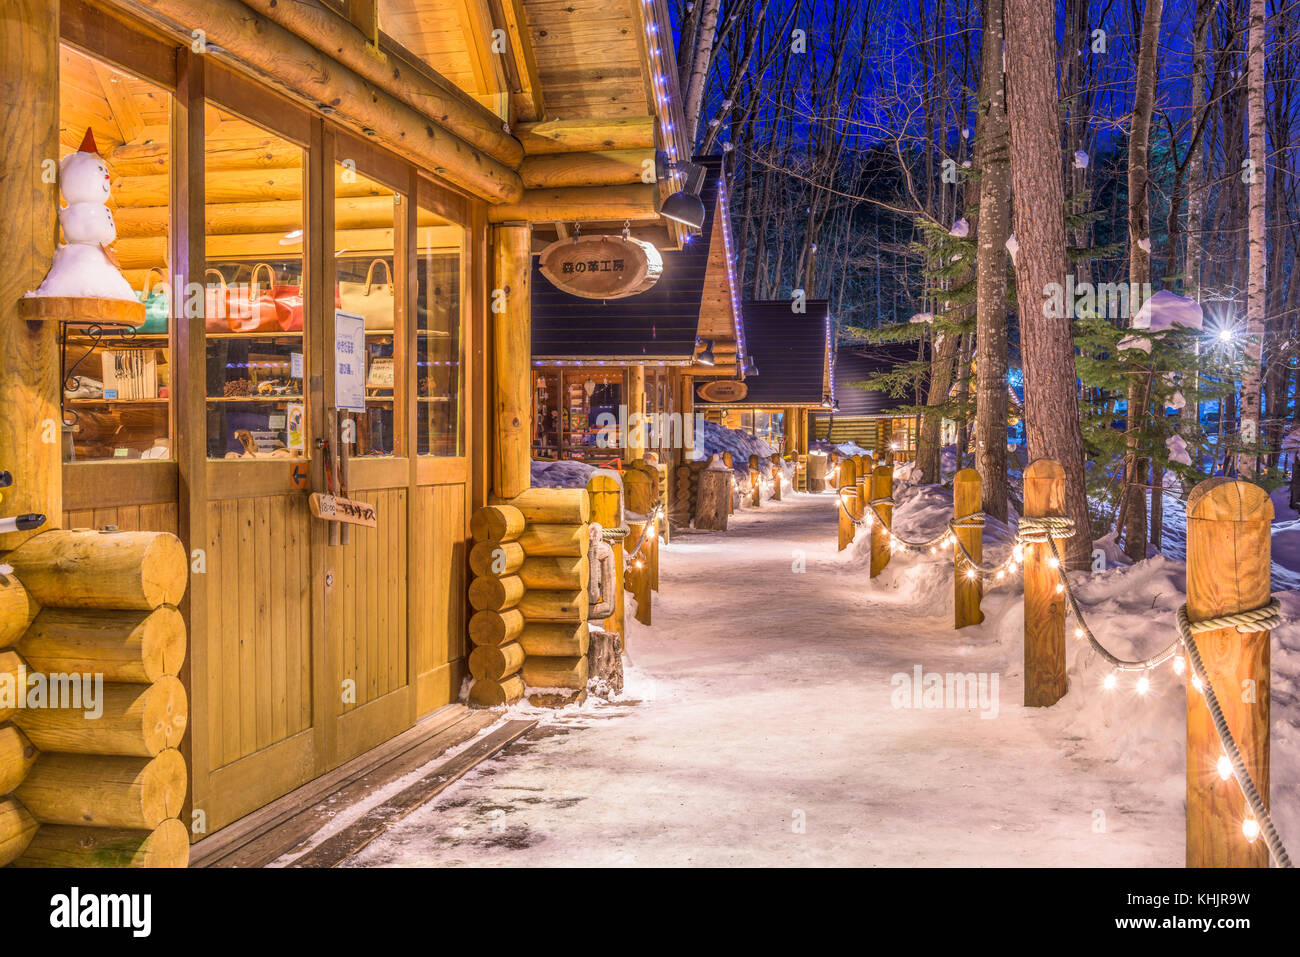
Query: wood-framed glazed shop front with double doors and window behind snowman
point(309, 644)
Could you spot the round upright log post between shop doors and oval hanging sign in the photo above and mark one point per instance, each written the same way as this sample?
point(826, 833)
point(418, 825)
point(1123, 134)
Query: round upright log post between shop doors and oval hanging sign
point(513, 352)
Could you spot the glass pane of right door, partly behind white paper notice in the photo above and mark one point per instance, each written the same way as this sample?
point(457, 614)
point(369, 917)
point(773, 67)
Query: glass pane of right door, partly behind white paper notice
point(369, 285)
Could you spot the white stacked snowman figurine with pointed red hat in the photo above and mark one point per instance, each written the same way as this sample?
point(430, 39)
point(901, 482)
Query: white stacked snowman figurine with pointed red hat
point(84, 266)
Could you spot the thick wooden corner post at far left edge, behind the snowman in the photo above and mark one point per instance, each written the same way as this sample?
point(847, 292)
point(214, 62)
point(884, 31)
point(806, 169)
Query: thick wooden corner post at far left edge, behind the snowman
point(31, 379)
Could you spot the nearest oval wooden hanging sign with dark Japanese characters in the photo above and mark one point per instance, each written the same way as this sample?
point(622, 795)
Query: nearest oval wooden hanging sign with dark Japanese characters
point(601, 267)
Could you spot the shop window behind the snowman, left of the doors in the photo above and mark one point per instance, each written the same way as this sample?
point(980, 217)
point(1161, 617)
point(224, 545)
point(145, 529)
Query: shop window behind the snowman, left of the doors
point(118, 382)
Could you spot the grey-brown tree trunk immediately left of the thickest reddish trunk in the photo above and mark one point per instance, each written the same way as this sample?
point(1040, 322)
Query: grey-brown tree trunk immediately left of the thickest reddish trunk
point(993, 232)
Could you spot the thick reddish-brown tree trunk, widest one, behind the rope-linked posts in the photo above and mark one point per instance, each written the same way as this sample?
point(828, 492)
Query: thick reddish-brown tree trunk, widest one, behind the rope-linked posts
point(1038, 218)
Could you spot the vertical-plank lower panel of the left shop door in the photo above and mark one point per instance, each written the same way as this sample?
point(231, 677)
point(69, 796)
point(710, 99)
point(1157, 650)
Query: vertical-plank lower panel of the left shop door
point(259, 618)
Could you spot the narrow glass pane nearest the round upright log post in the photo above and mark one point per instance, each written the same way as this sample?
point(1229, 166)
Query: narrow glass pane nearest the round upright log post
point(440, 347)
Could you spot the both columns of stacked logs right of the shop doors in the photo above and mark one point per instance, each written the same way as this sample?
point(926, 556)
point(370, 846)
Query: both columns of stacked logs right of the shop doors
point(530, 596)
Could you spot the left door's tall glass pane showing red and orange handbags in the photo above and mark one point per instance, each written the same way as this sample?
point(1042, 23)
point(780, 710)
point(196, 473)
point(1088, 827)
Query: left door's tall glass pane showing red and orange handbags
point(255, 298)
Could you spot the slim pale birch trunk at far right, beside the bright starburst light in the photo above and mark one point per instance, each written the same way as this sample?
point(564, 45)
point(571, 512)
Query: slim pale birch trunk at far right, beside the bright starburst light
point(1256, 289)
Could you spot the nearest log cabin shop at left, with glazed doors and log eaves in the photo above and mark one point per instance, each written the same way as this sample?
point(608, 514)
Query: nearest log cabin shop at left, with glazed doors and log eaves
point(330, 210)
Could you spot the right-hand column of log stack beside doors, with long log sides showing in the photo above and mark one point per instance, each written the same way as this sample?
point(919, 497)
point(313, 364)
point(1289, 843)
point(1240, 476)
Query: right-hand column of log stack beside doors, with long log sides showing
point(554, 607)
